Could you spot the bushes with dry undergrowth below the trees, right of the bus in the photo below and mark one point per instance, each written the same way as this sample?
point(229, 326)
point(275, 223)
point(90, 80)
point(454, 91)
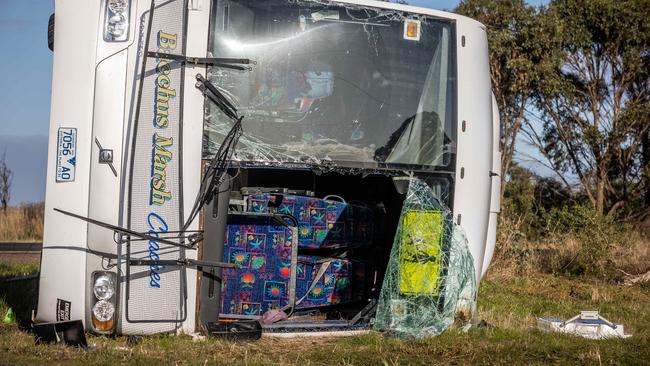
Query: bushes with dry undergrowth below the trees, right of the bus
point(543, 227)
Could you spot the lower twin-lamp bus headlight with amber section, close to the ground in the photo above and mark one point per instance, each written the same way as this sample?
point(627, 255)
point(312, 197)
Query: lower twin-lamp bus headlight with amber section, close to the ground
point(103, 305)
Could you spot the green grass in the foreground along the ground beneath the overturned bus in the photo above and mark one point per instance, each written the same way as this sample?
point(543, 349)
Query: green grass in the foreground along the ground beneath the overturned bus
point(509, 305)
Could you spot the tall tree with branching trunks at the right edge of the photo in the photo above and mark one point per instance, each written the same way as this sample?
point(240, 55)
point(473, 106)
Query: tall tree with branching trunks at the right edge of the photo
point(594, 102)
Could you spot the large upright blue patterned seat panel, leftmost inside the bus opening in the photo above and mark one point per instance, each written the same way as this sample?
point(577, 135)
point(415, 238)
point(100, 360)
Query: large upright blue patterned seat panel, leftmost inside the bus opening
point(264, 249)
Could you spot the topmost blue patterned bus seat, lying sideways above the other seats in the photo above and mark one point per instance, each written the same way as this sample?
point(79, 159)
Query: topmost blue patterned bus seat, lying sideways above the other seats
point(323, 223)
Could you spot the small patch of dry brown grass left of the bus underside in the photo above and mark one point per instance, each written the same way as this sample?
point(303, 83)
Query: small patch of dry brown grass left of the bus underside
point(22, 223)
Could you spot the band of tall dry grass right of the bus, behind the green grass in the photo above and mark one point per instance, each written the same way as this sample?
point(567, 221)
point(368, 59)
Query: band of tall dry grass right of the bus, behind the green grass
point(599, 250)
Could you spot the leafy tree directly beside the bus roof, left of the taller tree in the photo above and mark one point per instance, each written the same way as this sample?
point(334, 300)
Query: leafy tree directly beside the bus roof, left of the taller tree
point(518, 45)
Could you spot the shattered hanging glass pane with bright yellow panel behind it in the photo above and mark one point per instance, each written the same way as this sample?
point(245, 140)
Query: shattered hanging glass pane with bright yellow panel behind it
point(429, 283)
